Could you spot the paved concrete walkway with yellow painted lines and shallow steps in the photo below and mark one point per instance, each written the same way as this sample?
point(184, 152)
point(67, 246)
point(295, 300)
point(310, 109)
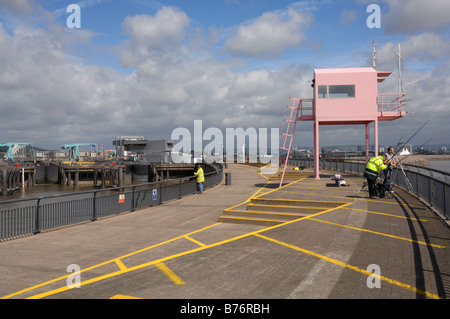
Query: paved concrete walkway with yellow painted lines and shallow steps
point(351, 248)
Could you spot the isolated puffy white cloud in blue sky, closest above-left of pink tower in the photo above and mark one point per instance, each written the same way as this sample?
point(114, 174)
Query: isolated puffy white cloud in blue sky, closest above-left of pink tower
point(269, 35)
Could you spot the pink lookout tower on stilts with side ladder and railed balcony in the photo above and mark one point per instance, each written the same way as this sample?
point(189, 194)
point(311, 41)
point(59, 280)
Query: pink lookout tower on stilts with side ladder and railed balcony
point(346, 96)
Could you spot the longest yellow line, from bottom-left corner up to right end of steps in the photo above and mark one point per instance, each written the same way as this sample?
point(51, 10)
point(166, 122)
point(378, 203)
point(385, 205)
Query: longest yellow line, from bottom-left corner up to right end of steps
point(110, 275)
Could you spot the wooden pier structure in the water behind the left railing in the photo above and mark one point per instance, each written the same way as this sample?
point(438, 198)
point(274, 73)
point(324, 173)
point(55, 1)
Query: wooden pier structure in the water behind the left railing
point(91, 174)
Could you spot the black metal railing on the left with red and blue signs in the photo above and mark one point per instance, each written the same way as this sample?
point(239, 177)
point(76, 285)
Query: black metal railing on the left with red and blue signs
point(31, 216)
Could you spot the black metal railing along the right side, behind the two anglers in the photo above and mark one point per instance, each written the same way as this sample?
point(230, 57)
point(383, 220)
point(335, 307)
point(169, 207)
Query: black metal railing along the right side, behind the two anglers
point(431, 185)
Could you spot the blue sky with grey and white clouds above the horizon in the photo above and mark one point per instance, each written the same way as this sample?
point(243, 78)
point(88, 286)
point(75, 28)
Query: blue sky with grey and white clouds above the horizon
point(144, 68)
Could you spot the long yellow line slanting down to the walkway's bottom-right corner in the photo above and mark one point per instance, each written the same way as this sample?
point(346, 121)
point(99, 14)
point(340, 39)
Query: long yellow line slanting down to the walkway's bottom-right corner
point(362, 271)
